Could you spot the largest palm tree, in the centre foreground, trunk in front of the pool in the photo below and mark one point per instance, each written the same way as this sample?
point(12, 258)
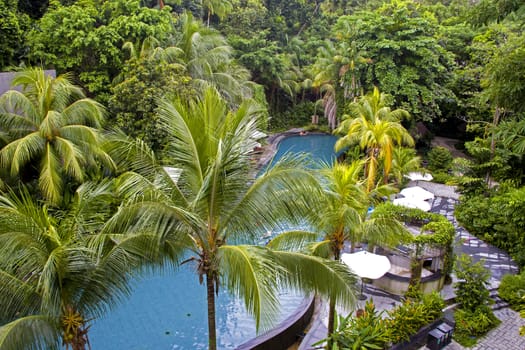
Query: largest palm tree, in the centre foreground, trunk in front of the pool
point(213, 183)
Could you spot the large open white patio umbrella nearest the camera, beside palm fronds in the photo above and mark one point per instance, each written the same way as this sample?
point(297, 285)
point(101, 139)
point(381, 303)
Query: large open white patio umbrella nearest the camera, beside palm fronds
point(366, 265)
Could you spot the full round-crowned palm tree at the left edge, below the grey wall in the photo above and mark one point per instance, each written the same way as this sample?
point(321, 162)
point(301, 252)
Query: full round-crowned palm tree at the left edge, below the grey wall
point(52, 129)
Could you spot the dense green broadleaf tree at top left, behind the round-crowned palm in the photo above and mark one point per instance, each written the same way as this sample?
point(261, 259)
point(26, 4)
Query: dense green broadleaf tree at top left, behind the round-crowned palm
point(86, 38)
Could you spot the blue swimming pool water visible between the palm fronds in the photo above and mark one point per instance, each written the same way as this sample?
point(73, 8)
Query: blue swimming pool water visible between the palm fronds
point(167, 310)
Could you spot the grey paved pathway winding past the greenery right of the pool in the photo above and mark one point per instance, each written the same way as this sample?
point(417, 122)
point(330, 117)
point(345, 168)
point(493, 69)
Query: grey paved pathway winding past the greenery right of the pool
point(505, 337)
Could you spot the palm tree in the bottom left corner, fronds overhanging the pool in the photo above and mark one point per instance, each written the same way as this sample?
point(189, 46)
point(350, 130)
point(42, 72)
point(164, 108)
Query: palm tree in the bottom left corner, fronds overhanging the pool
point(60, 270)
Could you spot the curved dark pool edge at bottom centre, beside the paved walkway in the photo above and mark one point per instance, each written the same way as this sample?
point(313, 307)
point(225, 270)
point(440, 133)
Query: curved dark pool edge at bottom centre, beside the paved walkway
point(287, 332)
